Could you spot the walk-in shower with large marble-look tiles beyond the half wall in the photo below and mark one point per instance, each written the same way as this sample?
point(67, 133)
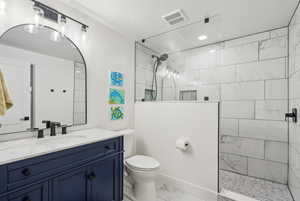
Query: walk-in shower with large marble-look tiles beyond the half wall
point(249, 77)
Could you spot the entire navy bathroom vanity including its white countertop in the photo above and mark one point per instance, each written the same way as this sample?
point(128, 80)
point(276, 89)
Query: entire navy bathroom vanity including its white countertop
point(79, 167)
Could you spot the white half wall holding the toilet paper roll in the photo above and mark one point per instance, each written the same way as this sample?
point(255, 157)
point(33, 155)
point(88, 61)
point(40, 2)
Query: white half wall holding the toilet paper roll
point(159, 125)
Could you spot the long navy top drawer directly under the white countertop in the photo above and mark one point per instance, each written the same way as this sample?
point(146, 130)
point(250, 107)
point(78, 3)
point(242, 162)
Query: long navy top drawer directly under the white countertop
point(30, 170)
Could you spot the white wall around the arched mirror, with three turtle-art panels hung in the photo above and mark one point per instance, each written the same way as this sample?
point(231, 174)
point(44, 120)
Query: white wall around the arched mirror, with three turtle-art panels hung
point(103, 50)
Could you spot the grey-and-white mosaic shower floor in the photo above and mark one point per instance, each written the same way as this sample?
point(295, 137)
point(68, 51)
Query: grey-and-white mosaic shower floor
point(256, 188)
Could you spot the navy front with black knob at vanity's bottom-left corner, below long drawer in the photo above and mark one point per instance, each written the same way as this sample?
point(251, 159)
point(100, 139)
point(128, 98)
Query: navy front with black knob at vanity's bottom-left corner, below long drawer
point(35, 193)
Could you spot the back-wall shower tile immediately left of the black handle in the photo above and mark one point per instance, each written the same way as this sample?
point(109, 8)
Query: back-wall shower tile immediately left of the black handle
point(271, 109)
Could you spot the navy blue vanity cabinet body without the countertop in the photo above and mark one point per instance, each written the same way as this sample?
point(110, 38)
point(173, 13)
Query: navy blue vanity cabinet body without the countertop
point(92, 172)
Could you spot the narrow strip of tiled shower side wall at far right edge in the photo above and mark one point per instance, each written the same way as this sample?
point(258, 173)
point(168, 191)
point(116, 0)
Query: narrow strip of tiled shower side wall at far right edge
point(294, 97)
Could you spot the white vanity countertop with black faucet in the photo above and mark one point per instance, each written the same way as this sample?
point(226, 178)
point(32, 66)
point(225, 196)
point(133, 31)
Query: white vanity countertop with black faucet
point(13, 151)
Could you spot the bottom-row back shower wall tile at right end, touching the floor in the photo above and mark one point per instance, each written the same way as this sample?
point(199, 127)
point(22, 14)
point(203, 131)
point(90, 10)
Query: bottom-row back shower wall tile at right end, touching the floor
point(267, 170)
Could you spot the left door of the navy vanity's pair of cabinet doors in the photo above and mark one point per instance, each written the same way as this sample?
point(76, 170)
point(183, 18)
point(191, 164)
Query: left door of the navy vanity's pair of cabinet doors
point(70, 187)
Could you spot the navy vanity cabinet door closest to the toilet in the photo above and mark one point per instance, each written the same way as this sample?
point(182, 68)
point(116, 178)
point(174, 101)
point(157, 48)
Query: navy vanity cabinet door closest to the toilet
point(105, 180)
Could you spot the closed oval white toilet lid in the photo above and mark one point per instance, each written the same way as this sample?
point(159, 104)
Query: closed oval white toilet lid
point(142, 162)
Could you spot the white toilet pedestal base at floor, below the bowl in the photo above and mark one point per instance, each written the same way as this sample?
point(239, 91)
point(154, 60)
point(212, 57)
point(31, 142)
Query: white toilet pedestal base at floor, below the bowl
point(144, 191)
